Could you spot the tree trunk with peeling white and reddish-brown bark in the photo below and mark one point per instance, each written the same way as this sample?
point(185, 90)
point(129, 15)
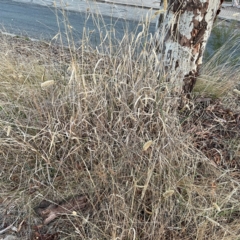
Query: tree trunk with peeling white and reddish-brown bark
point(181, 35)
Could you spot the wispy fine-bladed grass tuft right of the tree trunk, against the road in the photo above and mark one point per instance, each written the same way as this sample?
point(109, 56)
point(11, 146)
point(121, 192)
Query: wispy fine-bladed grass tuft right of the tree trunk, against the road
point(220, 74)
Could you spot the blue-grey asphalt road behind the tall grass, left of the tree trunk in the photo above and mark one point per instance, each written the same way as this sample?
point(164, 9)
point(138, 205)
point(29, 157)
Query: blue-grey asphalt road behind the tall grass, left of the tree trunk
point(41, 22)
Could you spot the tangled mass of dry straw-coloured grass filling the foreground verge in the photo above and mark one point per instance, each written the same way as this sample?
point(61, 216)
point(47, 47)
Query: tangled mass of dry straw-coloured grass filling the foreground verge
point(86, 135)
